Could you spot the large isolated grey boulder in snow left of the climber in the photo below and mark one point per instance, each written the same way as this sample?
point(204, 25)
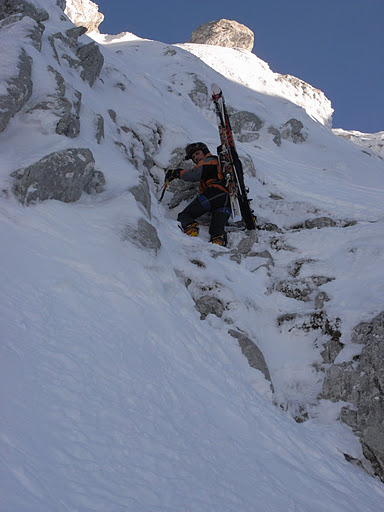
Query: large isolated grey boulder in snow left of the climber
point(61, 175)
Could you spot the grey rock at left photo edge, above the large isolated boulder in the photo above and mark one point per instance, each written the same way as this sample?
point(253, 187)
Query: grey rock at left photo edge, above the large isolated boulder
point(19, 91)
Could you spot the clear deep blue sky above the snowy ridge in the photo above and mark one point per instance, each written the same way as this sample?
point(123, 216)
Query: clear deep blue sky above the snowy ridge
point(335, 45)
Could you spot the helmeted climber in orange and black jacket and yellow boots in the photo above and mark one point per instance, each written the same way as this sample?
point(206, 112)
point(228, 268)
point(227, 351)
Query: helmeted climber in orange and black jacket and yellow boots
point(212, 197)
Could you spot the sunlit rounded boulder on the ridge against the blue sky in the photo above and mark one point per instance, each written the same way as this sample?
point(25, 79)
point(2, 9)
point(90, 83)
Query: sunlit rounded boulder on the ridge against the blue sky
point(227, 33)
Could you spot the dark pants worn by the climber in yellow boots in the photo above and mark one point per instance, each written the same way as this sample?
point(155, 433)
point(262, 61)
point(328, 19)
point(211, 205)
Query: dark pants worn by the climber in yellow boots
point(213, 200)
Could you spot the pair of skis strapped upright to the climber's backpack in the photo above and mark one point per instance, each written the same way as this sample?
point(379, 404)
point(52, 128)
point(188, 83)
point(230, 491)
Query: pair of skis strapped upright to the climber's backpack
point(231, 164)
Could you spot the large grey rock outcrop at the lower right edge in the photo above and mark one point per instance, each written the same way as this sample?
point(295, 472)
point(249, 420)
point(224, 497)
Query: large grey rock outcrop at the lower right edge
point(361, 383)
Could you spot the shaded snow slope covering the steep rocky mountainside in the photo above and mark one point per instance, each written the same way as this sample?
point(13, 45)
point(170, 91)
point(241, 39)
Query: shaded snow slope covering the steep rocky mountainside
point(117, 396)
